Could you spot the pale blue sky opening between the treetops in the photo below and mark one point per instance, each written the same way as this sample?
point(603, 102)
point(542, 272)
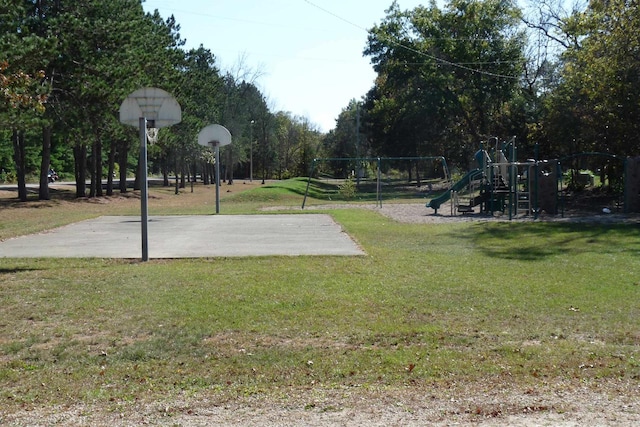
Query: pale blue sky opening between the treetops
point(308, 53)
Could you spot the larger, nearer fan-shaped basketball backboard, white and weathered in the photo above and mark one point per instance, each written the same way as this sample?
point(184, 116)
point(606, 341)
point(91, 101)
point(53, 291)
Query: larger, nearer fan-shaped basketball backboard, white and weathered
point(156, 105)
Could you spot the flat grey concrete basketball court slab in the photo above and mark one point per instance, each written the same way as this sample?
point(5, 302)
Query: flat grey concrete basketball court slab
point(195, 236)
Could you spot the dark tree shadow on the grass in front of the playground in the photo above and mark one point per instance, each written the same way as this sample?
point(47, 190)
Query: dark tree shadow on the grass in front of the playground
point(537, 241)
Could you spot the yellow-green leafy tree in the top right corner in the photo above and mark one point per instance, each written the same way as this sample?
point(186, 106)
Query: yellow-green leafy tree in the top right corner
point(604, 73)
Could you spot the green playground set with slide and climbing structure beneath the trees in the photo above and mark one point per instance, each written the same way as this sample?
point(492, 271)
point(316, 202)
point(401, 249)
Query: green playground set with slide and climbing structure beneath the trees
point(502, 184)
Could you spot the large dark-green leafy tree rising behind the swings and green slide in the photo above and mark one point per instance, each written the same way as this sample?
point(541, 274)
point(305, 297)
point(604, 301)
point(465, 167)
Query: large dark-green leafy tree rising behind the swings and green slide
point(445, 76)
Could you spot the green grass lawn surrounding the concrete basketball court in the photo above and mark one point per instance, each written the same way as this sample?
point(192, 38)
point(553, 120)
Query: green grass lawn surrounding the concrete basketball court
point(521, 303)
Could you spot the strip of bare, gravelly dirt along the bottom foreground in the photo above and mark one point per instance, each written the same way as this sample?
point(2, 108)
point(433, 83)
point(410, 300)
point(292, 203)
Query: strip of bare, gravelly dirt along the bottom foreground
point(606, 403)
